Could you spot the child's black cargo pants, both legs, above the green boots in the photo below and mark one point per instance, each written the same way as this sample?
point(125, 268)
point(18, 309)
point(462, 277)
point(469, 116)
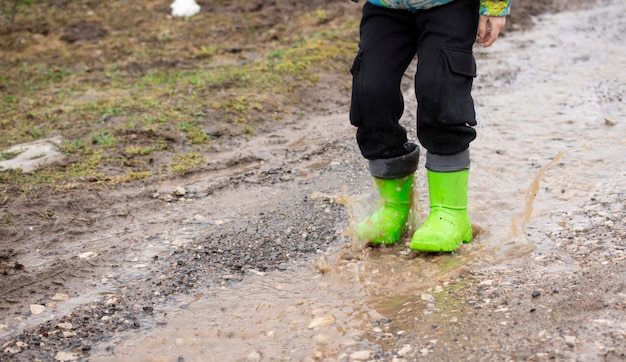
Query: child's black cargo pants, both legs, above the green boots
point(442, 38)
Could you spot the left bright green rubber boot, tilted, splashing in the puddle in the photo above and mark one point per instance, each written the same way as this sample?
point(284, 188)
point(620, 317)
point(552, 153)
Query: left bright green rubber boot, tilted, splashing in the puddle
point(387, 224)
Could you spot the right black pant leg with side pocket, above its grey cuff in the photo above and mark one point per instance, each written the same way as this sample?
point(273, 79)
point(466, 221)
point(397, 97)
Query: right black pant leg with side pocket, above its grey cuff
point(443, 83)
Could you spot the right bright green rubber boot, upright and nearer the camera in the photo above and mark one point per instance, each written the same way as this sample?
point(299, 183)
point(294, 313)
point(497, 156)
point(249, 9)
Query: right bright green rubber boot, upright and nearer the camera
point(448, 223)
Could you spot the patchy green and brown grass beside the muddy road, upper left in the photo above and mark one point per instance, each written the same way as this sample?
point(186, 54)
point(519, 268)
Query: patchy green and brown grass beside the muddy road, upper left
point(170, 77)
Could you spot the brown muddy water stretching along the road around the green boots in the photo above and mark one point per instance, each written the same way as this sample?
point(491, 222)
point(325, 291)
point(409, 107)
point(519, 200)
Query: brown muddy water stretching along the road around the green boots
point(552, 130)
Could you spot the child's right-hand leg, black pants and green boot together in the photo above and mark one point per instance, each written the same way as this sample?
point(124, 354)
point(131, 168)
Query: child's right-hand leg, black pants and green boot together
point(446, 117)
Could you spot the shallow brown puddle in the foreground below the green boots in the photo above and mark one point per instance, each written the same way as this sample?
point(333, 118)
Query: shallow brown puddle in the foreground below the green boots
point(336, 309)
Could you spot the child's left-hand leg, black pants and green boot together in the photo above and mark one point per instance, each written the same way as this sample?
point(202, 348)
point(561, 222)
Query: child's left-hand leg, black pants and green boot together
point(387, 47)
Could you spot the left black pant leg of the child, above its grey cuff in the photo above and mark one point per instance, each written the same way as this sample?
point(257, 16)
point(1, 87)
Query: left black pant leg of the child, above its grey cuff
point(387, 46)
